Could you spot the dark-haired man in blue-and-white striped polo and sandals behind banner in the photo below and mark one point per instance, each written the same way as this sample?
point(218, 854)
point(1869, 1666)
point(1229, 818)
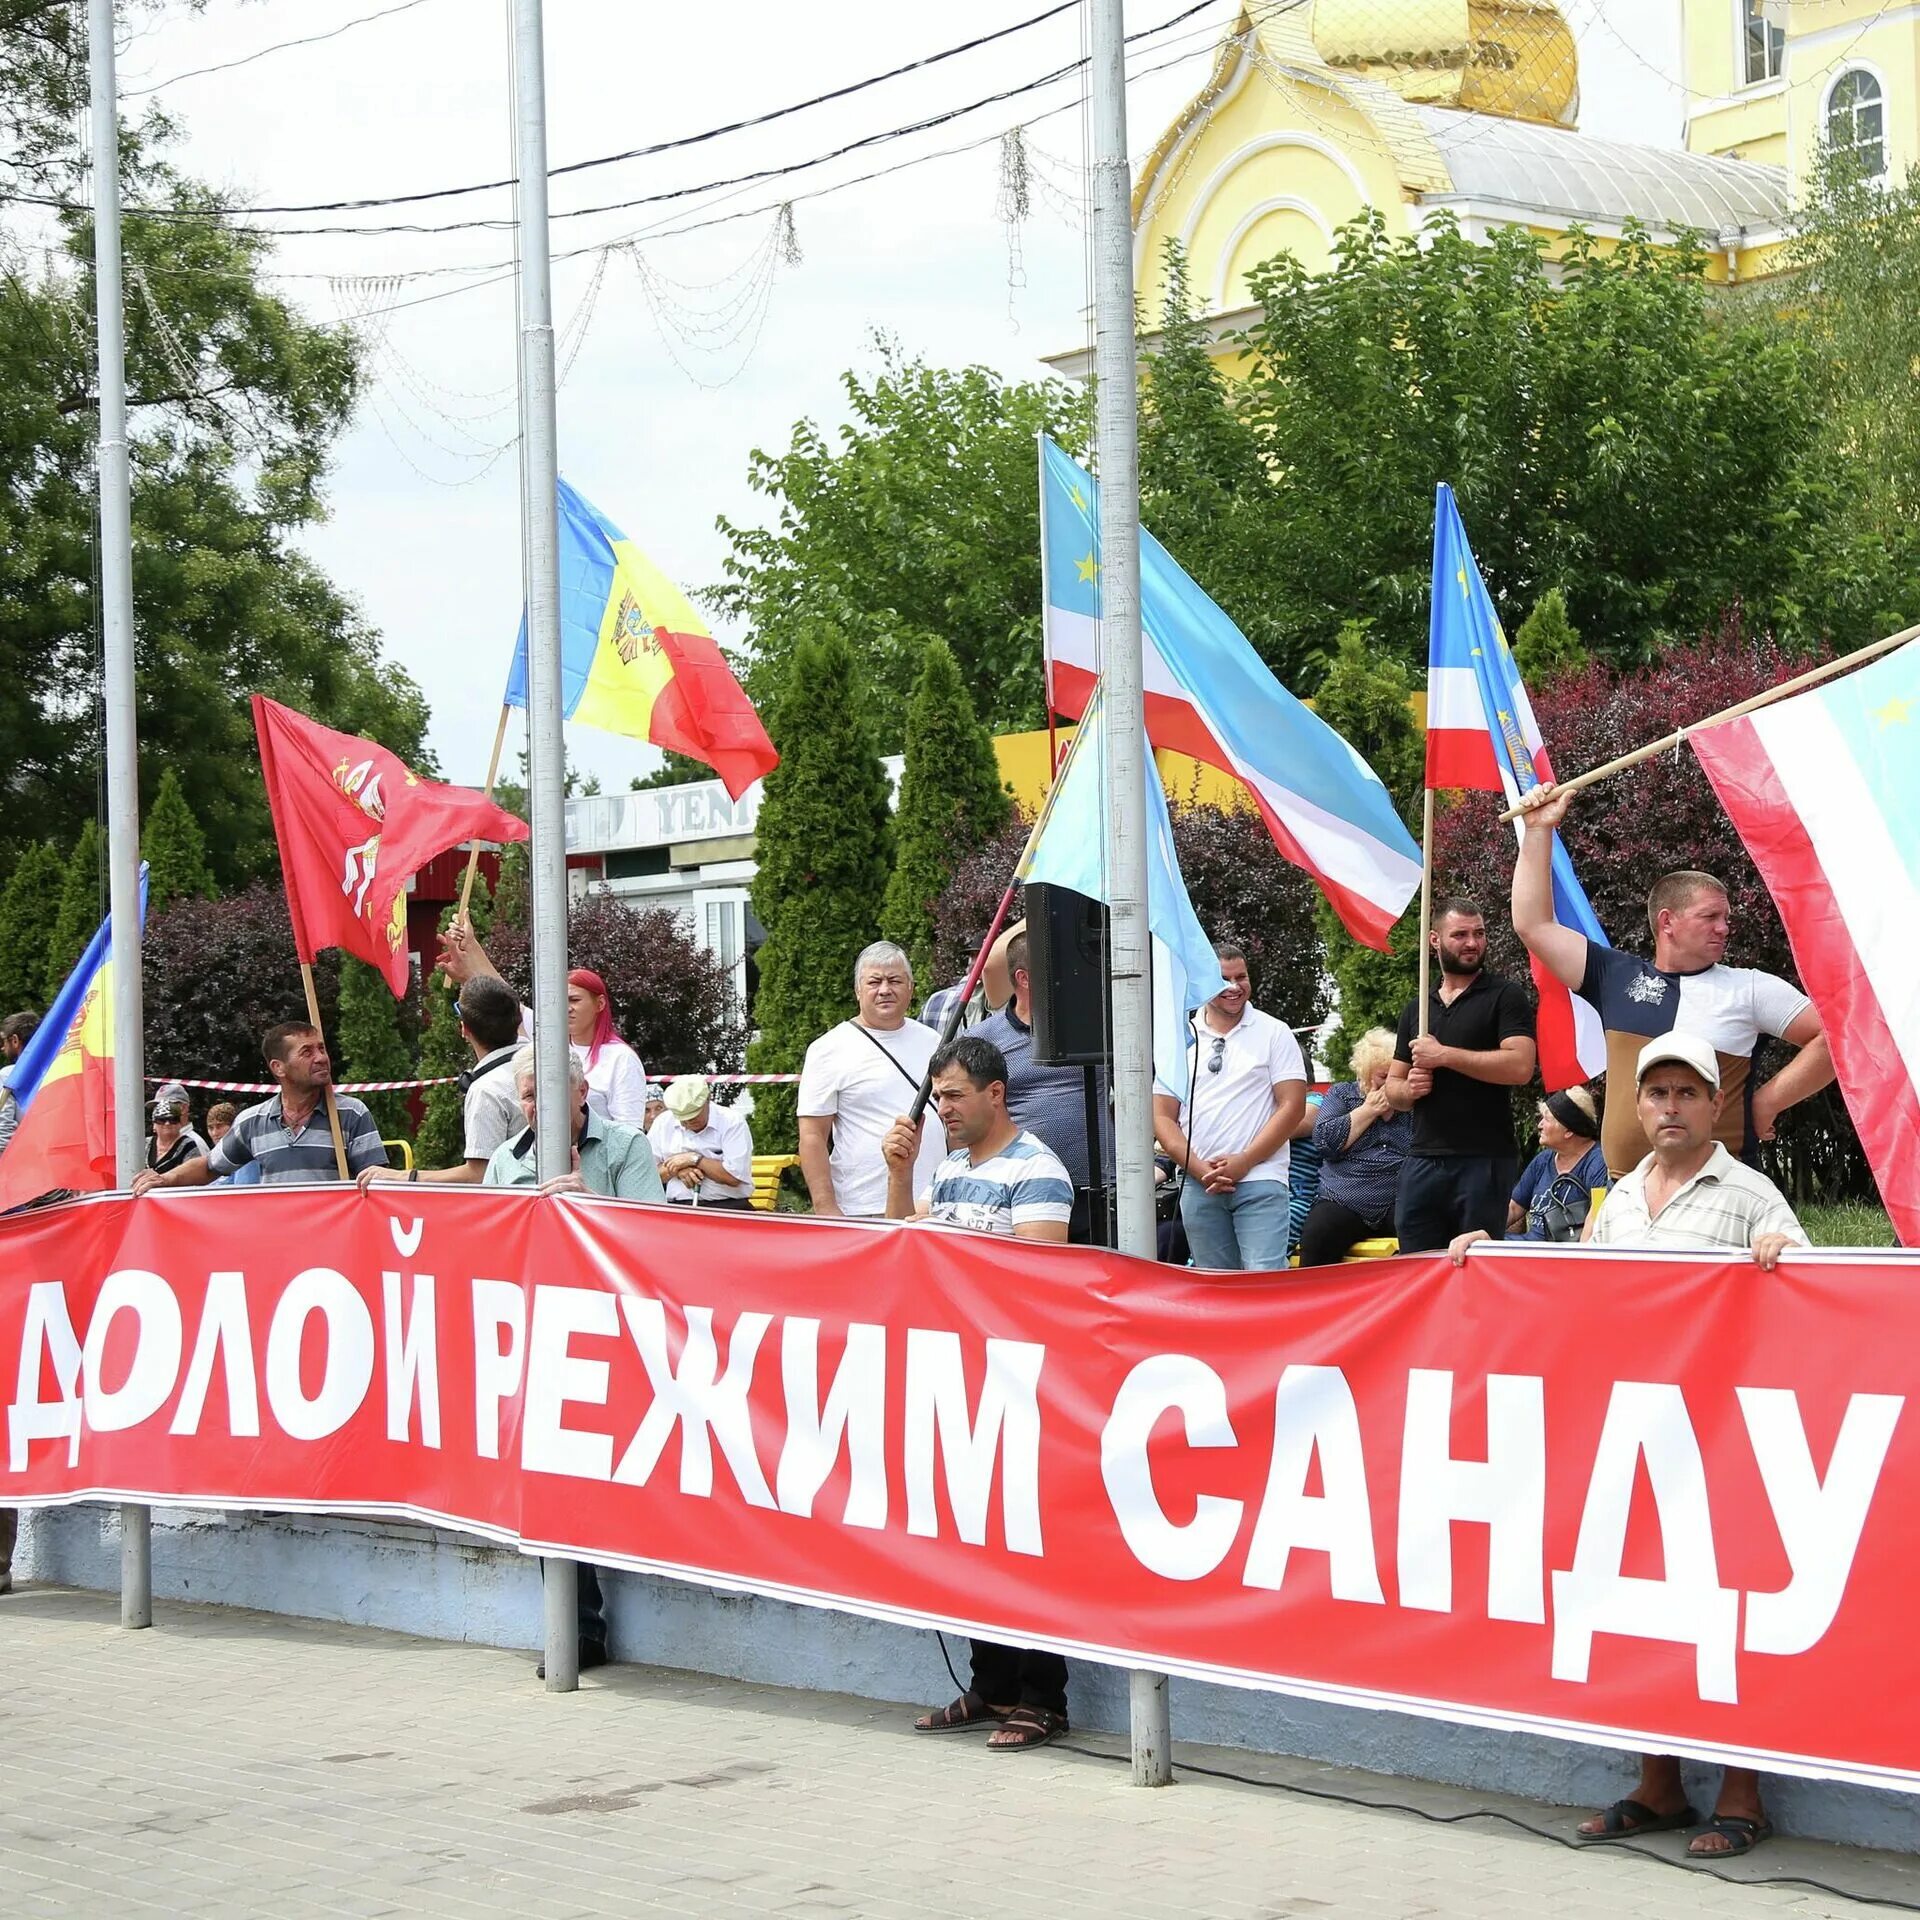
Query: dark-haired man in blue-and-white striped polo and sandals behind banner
point(996, 1180)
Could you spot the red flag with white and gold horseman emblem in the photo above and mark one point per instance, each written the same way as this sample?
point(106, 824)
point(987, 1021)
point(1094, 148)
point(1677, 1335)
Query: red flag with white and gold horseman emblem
point(354, 827)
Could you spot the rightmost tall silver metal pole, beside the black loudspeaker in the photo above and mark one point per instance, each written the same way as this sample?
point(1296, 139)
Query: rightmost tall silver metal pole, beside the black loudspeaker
point(1124, 713)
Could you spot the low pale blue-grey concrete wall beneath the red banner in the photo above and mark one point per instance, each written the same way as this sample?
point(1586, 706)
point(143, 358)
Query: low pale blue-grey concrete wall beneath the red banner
point(450, 1587)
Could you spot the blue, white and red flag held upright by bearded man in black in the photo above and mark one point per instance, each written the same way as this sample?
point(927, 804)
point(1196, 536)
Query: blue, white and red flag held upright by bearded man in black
point(1481, 734)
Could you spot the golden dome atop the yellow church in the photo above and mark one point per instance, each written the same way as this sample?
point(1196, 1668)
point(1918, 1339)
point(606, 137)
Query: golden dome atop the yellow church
point(1512, 59)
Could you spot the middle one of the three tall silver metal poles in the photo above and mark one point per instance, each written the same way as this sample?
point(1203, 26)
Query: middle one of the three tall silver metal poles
point(544, 721)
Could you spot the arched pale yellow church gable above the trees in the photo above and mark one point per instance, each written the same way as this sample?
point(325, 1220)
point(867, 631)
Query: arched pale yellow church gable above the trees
point(1276, 166)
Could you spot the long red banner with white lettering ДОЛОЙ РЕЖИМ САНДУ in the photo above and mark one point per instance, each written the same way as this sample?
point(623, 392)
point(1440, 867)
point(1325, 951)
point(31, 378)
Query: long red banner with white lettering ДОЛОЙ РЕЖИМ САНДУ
point(1677, 1524)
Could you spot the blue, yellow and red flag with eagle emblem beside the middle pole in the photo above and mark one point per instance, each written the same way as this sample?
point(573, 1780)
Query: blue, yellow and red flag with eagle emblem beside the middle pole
point(638, 660)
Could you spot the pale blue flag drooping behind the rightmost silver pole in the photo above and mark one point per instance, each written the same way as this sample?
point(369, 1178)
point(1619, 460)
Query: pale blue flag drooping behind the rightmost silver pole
point(1070, 852)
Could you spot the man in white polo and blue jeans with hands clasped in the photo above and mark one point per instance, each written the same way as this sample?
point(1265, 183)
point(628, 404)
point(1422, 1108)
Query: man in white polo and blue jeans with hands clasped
point(1230, 1128)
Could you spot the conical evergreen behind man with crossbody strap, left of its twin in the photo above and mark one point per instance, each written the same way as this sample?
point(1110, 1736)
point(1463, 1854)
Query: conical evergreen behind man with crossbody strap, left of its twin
point(825, 852)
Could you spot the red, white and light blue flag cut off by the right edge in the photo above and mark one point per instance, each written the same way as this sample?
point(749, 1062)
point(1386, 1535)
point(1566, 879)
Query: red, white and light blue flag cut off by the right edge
point(1825, 790)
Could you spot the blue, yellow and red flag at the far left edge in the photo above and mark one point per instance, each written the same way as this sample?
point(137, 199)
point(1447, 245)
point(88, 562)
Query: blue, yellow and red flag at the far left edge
point(64, 1086)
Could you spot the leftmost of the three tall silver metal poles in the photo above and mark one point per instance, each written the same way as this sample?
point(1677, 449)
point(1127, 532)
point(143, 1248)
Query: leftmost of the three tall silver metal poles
point(124, 746)
